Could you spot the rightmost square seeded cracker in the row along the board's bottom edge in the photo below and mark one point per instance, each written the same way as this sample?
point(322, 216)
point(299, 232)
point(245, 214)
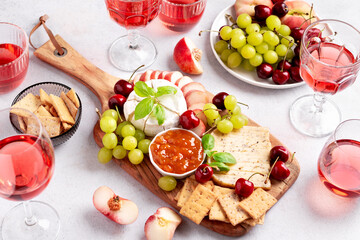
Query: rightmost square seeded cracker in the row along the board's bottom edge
point(258, 203)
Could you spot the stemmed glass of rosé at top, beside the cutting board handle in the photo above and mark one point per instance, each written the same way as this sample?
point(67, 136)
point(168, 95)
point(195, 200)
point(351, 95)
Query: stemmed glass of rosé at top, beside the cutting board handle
point(132, 50)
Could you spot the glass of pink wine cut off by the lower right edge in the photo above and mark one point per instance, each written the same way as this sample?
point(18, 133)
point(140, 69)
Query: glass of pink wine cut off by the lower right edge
point(339, 161)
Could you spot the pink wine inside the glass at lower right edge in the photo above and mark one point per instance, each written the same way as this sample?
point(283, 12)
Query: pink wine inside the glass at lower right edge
point(339, 167)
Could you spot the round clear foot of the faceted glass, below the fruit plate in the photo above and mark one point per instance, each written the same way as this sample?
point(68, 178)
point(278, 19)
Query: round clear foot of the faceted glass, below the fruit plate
point(306, 120)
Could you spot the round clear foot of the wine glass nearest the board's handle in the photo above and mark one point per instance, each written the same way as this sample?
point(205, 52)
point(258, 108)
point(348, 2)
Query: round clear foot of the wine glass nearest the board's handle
point(127, 58)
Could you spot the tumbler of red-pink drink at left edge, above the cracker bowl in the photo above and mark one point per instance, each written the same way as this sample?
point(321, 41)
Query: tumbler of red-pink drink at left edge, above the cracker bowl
point(14, 56)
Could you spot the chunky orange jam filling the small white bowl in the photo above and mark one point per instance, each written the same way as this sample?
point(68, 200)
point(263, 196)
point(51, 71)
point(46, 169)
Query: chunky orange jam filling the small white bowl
point(177, 151)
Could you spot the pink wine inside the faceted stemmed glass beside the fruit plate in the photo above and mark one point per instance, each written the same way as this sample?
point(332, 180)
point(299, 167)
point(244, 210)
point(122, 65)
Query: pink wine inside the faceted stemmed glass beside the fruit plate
point(324, 78)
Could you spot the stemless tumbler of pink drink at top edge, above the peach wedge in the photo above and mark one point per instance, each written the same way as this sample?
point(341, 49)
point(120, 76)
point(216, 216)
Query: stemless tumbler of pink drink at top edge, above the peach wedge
point(181, 15)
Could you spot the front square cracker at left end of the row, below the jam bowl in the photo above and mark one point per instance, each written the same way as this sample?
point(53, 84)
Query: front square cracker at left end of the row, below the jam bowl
point(199, 204)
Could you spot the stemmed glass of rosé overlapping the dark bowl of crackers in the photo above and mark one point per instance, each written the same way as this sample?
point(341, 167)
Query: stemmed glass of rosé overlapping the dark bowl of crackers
point(26, 167)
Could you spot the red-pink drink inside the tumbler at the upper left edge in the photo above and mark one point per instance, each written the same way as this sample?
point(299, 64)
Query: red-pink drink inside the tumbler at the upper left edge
point(12, 75)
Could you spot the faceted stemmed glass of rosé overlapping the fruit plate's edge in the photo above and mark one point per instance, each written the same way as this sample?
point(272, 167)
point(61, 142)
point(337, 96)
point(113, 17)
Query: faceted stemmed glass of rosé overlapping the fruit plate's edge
point(330, 62)
